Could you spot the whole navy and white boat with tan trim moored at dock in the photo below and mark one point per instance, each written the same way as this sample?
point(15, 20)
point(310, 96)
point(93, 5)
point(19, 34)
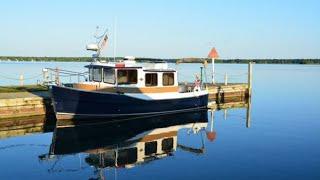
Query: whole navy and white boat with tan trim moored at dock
point(126, 88)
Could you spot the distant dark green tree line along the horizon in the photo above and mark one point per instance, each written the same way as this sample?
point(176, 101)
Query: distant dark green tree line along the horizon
point(182, 60)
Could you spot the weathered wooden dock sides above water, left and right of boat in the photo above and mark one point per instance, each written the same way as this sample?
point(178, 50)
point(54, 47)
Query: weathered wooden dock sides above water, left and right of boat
point(24, 104)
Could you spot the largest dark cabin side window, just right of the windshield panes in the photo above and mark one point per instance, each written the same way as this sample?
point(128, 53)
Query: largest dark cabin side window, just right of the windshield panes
point(127, 76)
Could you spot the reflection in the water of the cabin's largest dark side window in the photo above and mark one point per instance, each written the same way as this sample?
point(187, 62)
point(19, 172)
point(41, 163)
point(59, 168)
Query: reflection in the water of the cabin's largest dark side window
point(127, 156)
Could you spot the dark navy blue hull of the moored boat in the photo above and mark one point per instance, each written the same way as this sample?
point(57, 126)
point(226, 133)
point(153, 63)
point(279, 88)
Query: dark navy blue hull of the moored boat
point(72, 103)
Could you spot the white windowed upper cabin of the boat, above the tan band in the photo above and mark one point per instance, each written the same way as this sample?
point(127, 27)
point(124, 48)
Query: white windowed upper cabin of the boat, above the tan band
point(130, 74)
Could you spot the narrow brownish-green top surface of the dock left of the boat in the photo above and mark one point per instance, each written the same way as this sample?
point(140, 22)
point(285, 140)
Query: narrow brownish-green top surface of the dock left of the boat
point(26, 88)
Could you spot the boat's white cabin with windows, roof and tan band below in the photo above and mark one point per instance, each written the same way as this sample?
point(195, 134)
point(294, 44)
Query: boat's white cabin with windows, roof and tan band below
point(130, 77)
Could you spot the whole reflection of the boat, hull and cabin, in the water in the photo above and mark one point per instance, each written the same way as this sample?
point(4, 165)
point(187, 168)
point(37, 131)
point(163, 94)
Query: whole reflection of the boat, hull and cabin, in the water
point(128, 142)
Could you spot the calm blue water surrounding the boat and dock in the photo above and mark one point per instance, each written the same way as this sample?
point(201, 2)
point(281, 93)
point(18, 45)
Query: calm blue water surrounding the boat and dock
point(281, 143)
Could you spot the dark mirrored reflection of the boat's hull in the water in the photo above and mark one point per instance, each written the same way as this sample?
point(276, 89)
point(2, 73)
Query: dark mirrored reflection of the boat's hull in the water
point(90, 136)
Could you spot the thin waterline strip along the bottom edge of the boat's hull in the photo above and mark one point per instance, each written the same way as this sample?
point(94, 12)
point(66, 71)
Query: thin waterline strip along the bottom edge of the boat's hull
point(70, 116)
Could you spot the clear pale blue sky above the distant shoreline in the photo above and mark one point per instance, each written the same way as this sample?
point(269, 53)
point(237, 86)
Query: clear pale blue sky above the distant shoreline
point(163, 28)
